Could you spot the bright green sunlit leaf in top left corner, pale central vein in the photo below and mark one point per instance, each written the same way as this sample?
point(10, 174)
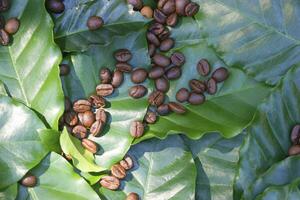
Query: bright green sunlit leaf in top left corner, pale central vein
point(30, 65)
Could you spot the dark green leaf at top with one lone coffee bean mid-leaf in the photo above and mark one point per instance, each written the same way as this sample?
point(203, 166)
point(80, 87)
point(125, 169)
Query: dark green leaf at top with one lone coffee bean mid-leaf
point(72, 34)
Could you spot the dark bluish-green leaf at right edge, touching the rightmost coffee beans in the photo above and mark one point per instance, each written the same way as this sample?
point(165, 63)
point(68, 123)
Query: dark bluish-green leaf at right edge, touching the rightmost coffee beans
point(269, 135)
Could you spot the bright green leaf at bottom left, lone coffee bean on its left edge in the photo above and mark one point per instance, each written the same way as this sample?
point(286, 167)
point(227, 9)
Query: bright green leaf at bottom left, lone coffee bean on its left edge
point(57, 180)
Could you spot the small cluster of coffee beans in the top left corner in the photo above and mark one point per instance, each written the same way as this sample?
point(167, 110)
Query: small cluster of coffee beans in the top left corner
point(8, 27)
